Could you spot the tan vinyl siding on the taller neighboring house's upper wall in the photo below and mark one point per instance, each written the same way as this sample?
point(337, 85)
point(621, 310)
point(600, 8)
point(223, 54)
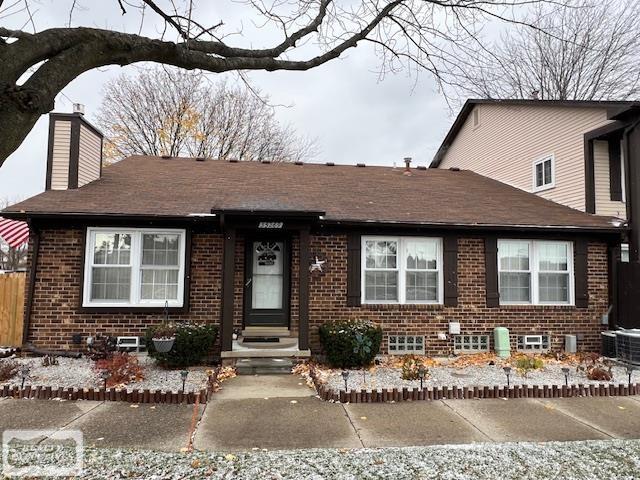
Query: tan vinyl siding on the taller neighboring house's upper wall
point(510, 138)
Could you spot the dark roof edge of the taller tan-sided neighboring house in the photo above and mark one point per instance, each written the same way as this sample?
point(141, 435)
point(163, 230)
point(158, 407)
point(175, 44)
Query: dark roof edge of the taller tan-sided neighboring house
point(469, 105)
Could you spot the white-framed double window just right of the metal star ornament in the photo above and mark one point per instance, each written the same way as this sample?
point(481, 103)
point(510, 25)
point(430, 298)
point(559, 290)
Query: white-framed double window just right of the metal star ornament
point(401, 270)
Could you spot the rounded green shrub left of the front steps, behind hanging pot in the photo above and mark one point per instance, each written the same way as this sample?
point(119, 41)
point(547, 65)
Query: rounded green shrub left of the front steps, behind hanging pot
point(193, 341)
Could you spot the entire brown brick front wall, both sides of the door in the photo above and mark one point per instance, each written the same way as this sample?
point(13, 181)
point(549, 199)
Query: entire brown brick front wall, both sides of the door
point(56, 314)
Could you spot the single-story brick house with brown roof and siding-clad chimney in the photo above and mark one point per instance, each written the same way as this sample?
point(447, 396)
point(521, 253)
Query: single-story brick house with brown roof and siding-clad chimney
point(278, 249)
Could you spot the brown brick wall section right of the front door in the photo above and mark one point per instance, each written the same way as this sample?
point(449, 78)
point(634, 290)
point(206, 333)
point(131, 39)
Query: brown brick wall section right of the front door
point(328, 293)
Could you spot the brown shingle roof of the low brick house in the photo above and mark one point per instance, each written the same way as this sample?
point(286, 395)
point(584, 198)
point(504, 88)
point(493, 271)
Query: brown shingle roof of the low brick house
point(153, 186)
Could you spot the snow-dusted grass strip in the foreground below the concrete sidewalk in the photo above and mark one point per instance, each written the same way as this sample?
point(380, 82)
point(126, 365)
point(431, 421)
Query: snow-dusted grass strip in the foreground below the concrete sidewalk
point(614, 459)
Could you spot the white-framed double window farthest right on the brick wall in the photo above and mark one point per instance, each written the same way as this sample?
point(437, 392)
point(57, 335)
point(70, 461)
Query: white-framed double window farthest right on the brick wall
point(535, 272)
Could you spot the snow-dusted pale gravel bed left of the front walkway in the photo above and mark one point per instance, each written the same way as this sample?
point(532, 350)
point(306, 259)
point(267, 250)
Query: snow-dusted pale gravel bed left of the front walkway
point(79, 373)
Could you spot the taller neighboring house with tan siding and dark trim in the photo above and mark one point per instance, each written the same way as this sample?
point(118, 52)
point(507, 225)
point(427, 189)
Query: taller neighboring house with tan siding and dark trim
point(583, 154)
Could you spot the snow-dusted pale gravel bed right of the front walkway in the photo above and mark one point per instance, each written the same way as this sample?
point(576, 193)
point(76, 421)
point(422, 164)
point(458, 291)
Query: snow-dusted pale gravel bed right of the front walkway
point(469, 376)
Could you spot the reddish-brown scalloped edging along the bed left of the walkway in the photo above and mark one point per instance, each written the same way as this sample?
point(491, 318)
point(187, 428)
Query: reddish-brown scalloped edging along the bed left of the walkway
point(110, 394)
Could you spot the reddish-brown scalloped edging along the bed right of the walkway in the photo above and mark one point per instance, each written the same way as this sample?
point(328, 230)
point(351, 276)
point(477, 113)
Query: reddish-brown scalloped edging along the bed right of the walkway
point(459, 393)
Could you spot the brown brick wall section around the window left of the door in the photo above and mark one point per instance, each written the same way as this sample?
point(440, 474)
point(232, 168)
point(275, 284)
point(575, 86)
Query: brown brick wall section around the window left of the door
point(56, 315)
